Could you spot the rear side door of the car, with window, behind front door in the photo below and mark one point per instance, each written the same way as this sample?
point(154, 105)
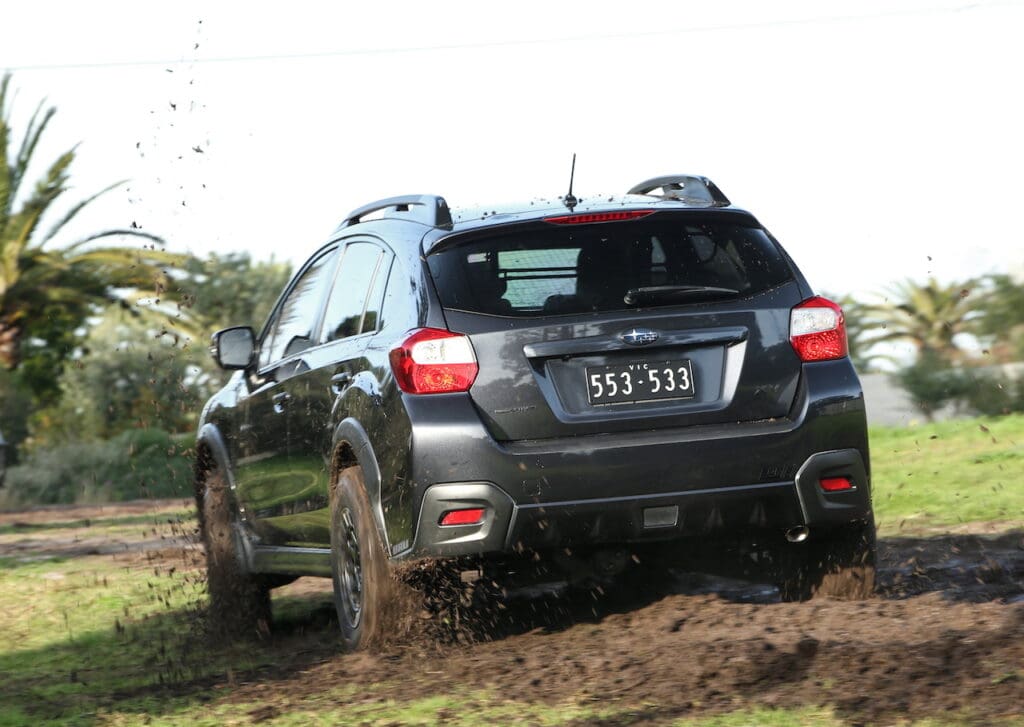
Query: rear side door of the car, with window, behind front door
point(320, 389)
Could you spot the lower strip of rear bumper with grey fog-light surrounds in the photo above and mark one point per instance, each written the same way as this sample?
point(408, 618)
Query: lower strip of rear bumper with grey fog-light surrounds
point(508, 527)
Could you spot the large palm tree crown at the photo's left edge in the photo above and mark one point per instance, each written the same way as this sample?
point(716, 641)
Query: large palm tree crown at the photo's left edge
point(40, 282)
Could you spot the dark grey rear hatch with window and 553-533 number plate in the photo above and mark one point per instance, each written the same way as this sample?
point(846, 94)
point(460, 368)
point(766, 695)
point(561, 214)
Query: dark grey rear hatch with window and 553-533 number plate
point(665, 319)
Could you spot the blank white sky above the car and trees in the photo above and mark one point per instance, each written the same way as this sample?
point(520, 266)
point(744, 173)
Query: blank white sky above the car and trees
point(867, 136)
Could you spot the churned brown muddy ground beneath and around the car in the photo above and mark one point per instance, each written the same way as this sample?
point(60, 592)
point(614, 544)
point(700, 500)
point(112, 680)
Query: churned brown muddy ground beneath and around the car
point(945, 636)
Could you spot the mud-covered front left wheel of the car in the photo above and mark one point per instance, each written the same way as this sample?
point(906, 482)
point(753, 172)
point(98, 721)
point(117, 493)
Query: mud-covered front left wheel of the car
point(240, 603)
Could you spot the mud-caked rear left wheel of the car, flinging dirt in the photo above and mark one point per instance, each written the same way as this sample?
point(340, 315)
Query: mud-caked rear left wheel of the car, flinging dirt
point(359, 565)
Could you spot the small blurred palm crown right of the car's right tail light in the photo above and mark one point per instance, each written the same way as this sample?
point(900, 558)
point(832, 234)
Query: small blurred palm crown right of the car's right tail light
point(928, 316)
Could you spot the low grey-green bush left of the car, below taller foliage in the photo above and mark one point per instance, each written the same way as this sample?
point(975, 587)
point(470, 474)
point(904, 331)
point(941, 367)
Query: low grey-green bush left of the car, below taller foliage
point(140, 463)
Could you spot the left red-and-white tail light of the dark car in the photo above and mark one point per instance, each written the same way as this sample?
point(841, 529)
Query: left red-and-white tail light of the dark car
point(435, 362)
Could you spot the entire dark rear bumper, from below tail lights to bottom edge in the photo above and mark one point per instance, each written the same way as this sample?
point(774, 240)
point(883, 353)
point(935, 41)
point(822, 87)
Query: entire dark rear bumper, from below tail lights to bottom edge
point(643, 487)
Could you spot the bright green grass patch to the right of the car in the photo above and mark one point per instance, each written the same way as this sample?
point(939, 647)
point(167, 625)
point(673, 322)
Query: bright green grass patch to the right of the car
point(940, 476)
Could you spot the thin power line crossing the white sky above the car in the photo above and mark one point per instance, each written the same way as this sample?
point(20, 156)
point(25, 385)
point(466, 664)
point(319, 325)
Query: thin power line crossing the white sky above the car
point(508, 44)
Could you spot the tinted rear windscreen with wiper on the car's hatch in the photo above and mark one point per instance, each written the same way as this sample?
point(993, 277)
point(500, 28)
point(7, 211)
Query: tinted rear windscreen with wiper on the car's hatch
point(547, 270)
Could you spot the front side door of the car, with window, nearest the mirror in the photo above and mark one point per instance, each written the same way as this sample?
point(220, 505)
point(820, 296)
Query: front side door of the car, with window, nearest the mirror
point(266, 474)
